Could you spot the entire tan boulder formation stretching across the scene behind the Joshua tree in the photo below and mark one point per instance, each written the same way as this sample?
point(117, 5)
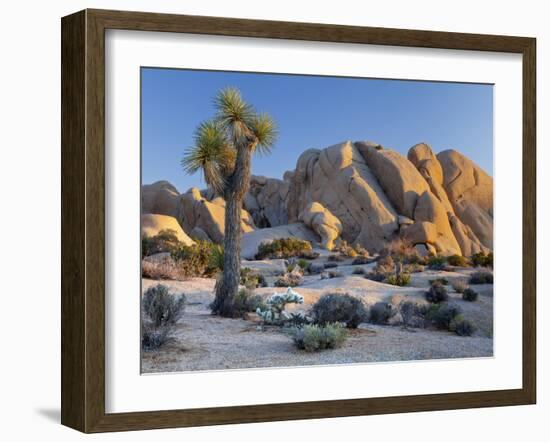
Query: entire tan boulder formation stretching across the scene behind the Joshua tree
point(359, 191)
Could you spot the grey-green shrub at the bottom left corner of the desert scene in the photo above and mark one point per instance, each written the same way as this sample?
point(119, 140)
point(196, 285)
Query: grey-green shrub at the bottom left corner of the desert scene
point(160, 307)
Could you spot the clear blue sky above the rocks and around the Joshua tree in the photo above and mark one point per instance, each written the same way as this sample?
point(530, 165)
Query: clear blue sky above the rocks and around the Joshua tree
point(313, 111)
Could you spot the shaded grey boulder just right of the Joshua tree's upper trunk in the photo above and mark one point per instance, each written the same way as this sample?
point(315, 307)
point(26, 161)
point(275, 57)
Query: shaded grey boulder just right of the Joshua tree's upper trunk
point(266, 201)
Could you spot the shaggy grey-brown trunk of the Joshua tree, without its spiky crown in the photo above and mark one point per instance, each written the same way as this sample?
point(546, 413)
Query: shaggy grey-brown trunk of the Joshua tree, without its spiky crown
point(228, 286)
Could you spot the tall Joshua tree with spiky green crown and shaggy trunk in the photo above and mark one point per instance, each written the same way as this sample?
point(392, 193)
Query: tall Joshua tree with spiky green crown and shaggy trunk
point(223, 151)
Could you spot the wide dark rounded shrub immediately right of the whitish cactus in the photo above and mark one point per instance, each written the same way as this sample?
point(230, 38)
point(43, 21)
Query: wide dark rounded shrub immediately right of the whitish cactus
point(338, 307)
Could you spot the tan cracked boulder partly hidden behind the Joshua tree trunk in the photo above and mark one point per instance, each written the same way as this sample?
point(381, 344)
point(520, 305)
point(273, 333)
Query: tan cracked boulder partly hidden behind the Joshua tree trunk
point(209, 216)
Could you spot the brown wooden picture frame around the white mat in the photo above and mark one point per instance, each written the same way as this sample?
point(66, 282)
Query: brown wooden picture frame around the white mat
point(83, 220)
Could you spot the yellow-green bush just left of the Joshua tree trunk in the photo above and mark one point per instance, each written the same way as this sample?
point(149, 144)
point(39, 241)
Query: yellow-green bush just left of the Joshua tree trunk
point(201, 259)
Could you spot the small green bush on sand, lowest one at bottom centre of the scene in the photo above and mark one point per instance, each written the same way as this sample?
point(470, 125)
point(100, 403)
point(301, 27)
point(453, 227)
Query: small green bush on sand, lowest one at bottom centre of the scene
point(319, 337)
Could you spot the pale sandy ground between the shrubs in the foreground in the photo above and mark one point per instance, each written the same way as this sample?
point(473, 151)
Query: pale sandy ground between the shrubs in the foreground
point(204, 342)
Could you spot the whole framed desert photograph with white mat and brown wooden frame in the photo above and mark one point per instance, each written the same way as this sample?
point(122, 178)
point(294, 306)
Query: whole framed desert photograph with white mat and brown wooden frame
point(266, 221)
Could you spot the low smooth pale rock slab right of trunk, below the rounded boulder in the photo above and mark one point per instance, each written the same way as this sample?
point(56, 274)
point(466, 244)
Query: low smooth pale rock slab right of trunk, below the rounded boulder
point(252, 240)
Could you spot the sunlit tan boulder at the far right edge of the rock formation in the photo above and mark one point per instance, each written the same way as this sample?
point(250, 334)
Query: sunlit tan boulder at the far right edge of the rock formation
point(470, 191)
